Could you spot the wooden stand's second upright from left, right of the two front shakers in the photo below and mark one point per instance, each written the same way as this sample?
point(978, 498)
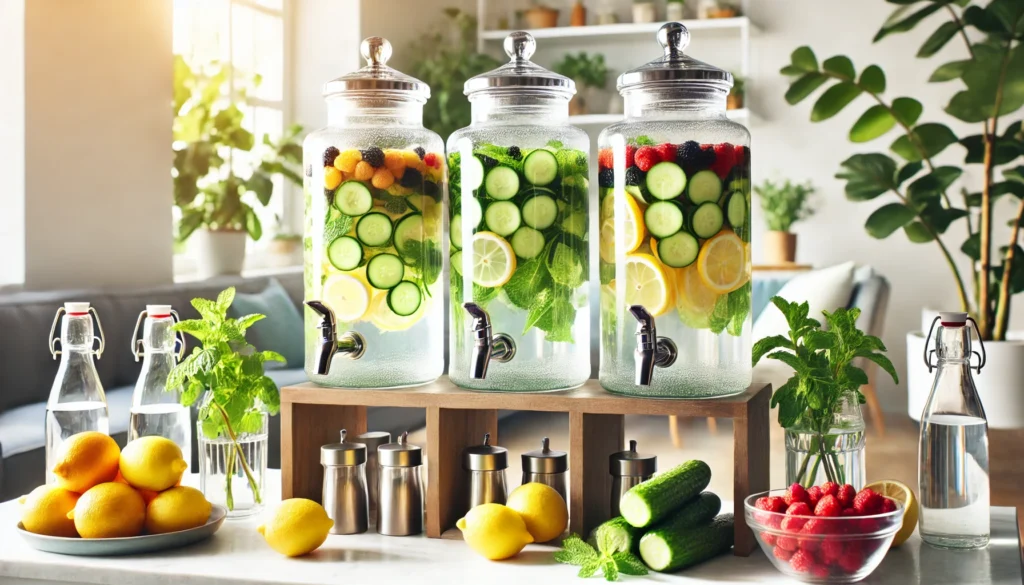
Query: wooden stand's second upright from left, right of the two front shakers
point(449, 432)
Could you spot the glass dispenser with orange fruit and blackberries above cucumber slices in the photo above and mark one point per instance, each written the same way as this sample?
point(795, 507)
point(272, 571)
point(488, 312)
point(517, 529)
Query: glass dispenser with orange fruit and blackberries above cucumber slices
point(374, 190)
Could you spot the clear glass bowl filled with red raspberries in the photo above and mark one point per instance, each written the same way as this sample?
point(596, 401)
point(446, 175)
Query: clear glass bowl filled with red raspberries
point(825, 534)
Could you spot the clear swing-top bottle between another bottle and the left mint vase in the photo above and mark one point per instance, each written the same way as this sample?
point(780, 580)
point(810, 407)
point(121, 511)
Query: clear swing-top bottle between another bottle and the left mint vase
point(157, 410)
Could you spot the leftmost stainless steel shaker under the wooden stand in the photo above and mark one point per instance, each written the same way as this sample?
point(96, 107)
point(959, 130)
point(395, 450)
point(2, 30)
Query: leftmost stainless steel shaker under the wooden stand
point(346, 497)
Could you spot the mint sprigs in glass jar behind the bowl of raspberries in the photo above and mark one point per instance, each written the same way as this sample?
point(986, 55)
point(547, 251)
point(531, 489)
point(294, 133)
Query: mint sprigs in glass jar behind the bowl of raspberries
point(820, 406)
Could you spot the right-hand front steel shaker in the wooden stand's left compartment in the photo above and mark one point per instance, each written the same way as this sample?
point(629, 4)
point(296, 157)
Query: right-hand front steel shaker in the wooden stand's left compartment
point(401, 510)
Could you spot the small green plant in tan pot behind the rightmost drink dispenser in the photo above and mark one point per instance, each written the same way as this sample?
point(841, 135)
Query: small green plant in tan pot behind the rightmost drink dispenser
point(784, 205)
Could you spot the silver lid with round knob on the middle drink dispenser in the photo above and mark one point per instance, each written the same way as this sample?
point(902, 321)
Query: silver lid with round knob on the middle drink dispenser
point(521, 72)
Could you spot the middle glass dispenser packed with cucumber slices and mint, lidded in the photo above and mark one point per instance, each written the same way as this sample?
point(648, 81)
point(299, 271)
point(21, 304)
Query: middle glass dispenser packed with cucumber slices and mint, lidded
point(520, 233)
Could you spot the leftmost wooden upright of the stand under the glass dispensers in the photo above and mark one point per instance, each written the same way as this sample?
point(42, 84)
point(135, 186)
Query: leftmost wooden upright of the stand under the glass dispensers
point(305, 429)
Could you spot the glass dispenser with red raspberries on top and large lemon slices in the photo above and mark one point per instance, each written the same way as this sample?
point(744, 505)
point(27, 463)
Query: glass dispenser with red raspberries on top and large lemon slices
point(674, 218)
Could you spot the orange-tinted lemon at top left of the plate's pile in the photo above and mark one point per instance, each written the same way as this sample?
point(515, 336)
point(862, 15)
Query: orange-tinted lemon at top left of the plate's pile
point(87, 459)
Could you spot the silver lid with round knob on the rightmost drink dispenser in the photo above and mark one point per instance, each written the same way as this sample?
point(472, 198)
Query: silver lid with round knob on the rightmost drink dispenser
point(674, 67)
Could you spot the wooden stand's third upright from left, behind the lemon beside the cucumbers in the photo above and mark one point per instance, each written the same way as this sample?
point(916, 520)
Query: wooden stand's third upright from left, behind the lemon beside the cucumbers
point(592, 439)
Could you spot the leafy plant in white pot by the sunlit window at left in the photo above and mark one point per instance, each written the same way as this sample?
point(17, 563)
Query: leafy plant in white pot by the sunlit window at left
point(216, 190)
